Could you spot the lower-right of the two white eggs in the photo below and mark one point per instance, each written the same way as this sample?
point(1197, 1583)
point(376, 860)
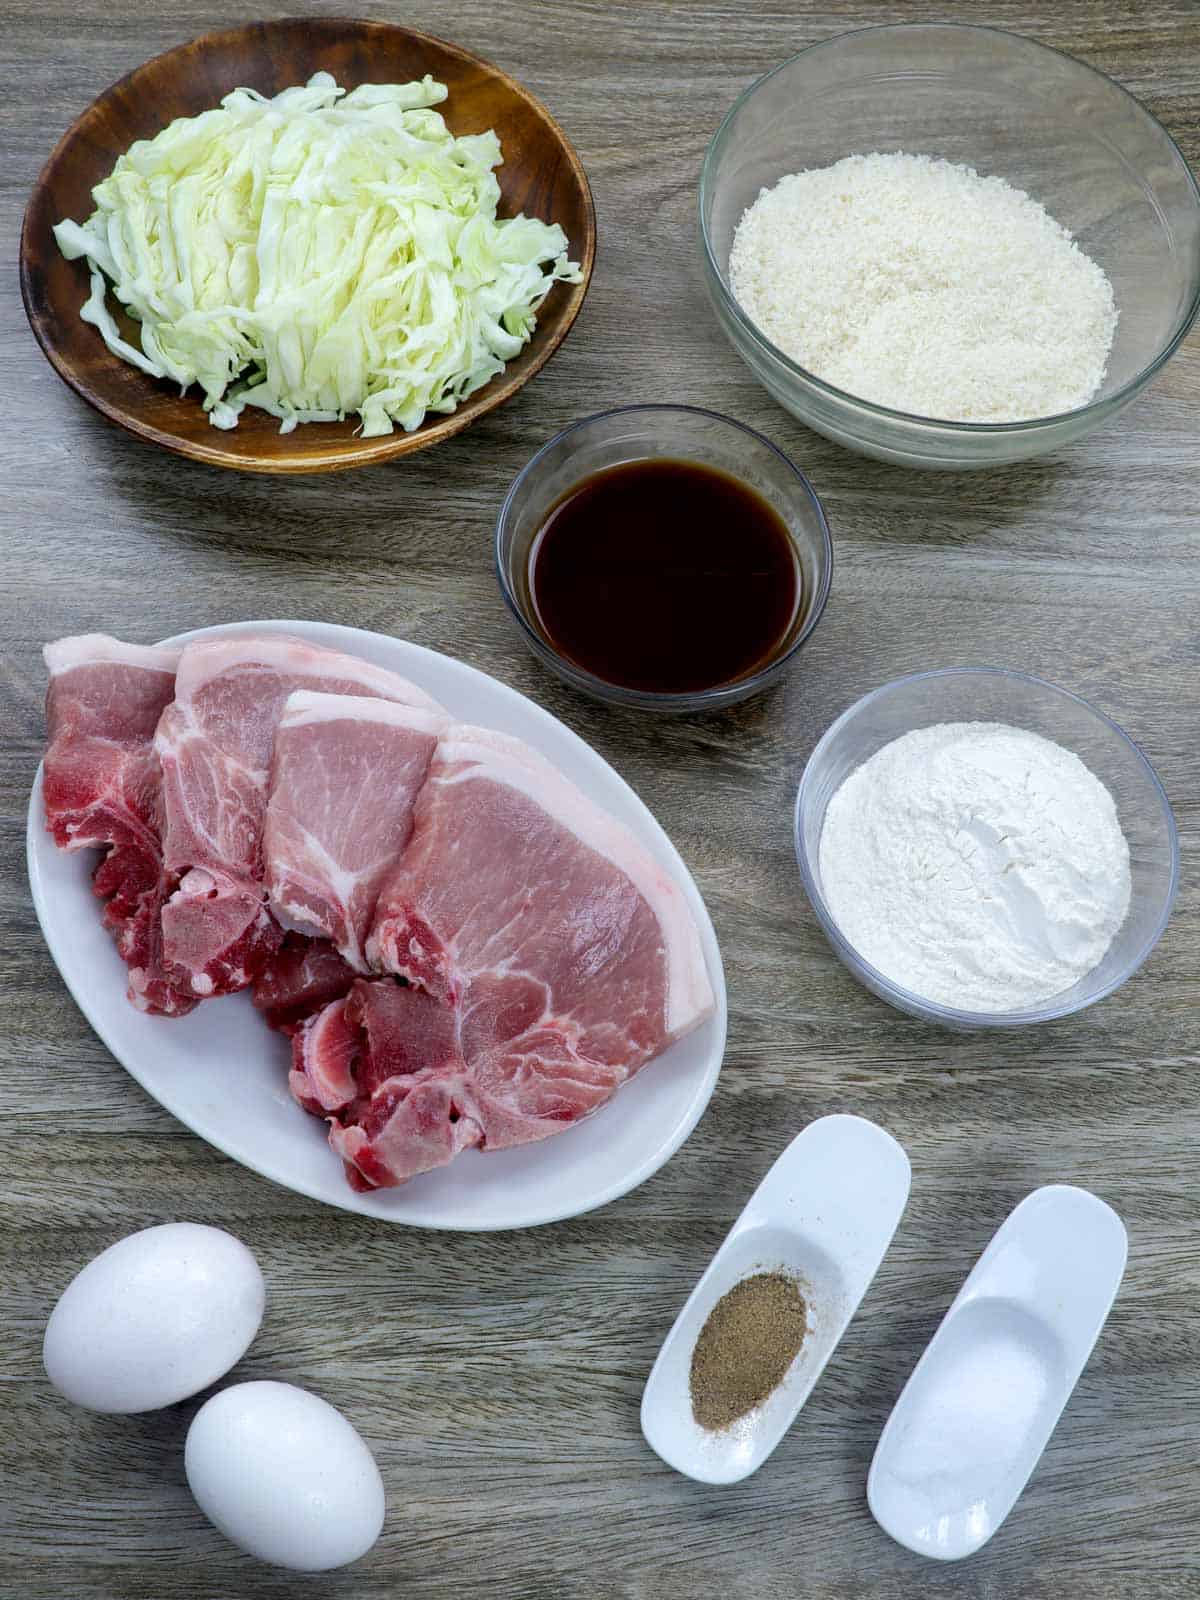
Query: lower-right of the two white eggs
point(286, 1478)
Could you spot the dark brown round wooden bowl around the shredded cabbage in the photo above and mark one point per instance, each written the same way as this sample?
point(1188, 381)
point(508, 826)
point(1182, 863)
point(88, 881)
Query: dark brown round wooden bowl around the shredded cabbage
point(542, 177)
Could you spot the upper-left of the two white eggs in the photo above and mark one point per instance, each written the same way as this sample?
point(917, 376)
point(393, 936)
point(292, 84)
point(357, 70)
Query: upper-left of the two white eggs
point(154, 1319)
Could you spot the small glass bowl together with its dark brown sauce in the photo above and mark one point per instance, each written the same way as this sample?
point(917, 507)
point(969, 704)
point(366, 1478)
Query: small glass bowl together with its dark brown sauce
point(665, 558)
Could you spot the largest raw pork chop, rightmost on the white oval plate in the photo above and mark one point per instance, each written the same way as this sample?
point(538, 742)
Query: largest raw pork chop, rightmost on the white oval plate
point(545, 958)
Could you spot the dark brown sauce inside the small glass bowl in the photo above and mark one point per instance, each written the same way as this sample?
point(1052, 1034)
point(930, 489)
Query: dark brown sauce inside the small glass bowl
point(666, 577)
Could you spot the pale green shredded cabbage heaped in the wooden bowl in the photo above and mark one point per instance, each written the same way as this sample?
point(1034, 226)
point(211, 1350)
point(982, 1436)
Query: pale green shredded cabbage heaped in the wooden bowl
point(318, 255)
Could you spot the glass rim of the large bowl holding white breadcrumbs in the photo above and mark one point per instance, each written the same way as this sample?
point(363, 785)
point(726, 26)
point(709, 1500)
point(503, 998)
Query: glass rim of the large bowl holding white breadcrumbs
point(943, 425)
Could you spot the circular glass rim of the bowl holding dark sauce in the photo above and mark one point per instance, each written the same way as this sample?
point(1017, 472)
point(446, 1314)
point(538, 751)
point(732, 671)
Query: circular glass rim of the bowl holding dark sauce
point(742, 689)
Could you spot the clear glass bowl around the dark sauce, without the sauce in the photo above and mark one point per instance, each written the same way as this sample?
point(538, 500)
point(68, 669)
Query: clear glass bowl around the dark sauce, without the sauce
point(673, 433)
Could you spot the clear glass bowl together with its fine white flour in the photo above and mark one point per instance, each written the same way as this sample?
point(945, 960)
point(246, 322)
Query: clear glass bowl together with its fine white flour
point(983, 849)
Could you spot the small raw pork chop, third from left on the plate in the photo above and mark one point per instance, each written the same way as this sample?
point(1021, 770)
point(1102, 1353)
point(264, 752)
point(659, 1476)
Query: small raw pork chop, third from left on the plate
point(343, 782)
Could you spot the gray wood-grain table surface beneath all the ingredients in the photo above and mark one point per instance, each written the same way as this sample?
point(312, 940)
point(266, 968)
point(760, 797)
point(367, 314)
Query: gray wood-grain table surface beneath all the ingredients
point(498, 1377)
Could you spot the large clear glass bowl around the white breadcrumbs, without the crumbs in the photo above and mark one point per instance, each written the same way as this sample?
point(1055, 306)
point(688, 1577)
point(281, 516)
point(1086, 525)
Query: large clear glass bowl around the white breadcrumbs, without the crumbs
point(1010, 108)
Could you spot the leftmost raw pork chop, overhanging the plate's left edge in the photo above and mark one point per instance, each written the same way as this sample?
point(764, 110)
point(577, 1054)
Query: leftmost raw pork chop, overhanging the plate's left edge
point(103, 791)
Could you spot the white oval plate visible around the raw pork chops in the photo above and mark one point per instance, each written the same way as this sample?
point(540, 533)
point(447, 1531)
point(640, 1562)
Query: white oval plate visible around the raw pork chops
point(223, 1073)
